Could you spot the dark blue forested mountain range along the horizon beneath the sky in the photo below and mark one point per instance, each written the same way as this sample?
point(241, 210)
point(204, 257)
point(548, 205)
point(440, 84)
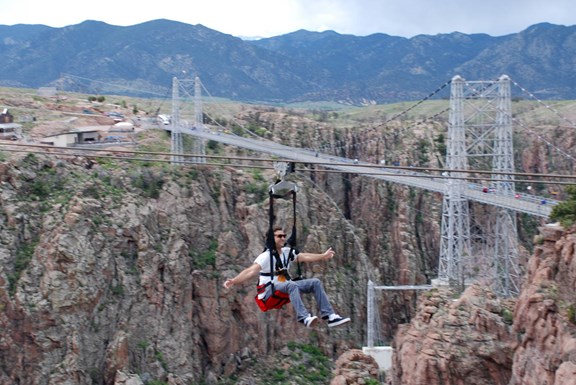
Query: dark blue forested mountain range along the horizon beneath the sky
point(142, 60)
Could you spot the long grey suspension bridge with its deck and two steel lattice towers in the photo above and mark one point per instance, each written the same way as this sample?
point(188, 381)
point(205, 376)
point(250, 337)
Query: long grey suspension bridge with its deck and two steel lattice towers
point(480, 127)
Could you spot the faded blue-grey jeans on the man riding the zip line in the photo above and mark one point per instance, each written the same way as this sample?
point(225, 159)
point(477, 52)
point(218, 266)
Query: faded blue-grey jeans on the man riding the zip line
point(310, 285)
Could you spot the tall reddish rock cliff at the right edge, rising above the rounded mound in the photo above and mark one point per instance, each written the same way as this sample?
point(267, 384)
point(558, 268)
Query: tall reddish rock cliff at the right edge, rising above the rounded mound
point(545, 315)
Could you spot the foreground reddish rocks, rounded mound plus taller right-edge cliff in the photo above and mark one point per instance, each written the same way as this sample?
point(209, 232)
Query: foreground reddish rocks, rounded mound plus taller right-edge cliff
point(480, 339)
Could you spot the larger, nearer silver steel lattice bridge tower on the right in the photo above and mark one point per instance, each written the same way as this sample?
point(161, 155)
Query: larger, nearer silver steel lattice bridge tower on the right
point(479, 138)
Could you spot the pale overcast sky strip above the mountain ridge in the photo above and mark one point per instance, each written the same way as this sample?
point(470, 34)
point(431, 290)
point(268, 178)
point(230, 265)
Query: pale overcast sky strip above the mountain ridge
point(265, 18)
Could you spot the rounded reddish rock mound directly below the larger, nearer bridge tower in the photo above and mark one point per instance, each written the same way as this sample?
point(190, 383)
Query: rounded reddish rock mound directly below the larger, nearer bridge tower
point(456, 341)
